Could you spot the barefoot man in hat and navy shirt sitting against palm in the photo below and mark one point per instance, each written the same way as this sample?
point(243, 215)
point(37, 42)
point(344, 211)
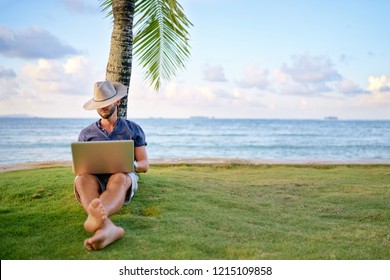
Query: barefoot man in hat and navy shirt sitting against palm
point(103, 195)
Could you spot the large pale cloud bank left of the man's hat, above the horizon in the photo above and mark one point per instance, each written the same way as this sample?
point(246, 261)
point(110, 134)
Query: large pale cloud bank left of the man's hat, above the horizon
point(50, 88)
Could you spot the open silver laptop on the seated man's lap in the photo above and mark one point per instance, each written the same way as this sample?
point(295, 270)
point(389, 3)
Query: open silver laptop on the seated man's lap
point(103, 157)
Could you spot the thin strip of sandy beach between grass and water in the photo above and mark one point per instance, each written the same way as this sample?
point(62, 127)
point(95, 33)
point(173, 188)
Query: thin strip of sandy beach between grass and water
point(34, 165)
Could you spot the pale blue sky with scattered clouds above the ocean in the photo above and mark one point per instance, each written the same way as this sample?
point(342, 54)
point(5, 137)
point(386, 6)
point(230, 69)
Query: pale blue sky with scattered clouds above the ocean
point(249, 59)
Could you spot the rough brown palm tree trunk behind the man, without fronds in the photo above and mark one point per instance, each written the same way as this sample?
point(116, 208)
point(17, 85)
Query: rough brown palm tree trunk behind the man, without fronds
point(121, 50)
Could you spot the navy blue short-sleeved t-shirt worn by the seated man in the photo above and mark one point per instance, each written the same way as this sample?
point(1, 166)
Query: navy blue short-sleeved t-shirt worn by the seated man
point(124, 130)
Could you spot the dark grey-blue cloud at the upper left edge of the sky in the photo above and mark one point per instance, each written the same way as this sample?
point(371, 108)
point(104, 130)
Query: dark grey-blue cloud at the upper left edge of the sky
point(32, 43)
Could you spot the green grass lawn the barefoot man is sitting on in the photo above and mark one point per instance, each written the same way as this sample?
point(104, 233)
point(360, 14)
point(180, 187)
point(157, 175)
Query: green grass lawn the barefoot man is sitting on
point(208, 212)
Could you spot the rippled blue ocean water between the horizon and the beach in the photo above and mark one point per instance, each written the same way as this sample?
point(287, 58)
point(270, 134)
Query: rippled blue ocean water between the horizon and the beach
point(25, 140)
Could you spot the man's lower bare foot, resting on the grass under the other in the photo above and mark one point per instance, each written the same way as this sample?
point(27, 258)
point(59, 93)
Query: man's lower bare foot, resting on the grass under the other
point(104, 236)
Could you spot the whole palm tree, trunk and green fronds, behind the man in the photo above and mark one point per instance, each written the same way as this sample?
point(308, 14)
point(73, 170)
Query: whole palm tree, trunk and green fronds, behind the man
point(160, 42)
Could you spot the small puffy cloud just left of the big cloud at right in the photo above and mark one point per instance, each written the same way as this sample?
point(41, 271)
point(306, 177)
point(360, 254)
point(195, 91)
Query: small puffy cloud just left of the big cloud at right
point(254, 77)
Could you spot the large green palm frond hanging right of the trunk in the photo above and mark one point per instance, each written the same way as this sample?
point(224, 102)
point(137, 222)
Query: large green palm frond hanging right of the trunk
point(161, 39)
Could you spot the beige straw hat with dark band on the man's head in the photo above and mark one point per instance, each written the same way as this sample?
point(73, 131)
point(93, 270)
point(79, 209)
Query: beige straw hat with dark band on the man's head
point(104, 94)
